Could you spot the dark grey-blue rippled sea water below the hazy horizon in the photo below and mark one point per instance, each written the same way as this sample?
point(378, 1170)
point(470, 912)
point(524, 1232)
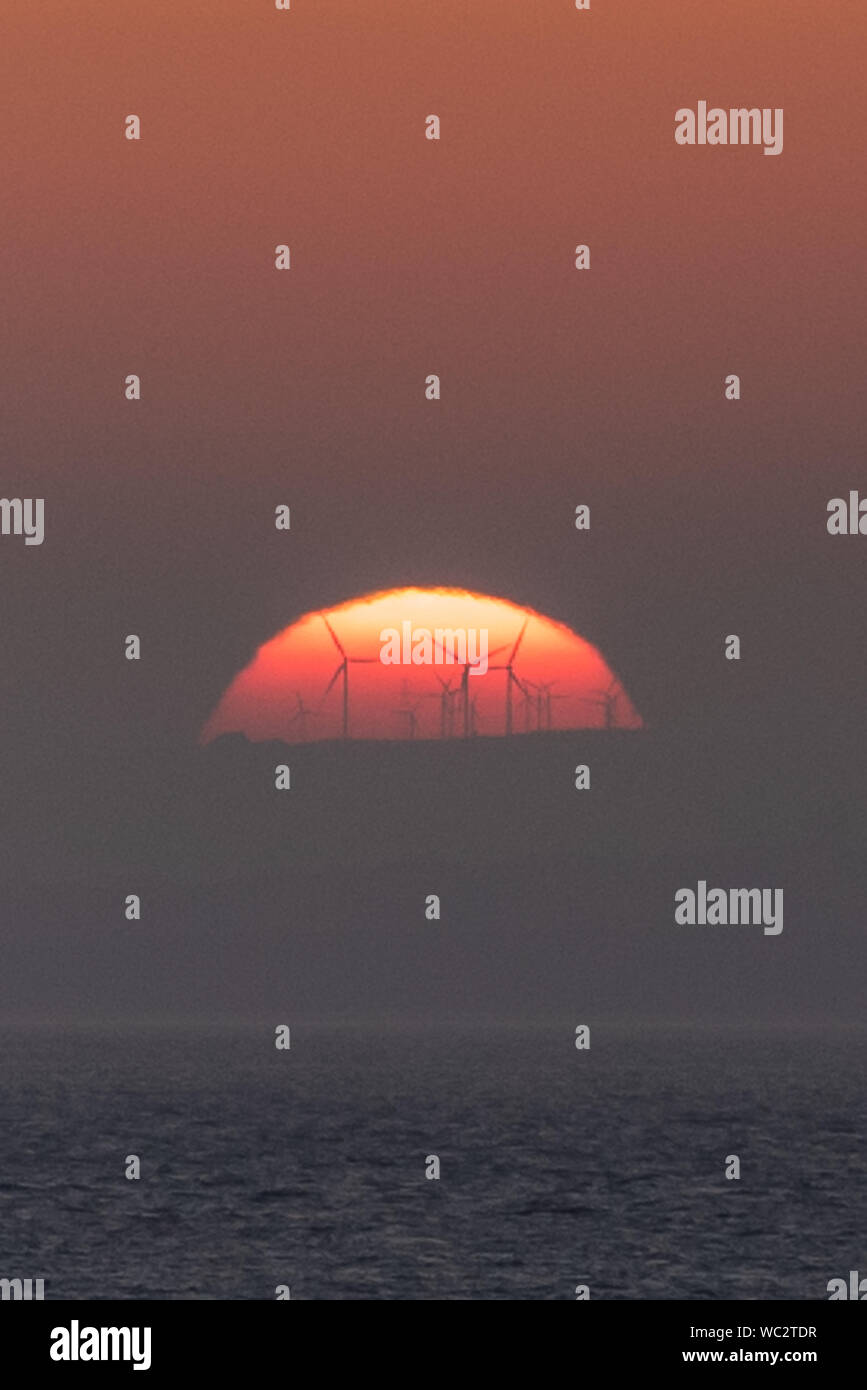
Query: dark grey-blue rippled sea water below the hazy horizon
point(308, 1168)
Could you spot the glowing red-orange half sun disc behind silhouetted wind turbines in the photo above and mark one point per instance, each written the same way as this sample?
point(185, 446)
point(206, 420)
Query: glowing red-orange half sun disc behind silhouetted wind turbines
point(324, 676)
